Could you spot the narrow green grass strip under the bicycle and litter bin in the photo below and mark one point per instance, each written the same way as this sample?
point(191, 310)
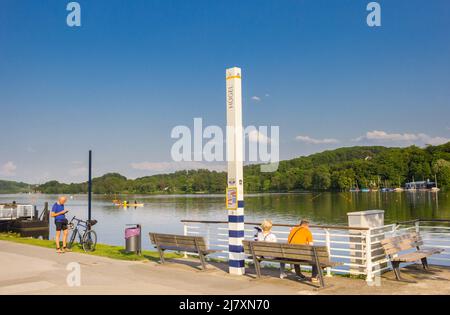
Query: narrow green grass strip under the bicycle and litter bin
point(110, 251)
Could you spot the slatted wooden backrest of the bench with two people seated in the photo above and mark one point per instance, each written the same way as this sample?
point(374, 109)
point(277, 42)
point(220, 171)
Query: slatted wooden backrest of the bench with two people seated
point(287, 251)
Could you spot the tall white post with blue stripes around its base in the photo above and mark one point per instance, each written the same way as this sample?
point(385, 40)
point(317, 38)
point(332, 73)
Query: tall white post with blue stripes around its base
point(235, 180)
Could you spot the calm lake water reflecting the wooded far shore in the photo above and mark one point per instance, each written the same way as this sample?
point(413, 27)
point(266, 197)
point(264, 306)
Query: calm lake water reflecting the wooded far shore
point(163, 213)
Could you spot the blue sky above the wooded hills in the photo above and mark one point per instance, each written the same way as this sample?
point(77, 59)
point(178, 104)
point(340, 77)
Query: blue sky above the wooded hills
point(135, 69)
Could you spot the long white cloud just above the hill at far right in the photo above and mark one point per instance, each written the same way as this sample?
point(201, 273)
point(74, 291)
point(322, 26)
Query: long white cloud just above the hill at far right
point(411, 138)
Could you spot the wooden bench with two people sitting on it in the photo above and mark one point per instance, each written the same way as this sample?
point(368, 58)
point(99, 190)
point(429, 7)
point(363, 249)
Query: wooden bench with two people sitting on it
point(291, 254)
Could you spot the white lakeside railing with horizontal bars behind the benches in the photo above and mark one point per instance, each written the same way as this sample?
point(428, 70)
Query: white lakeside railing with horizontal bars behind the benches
point(359, 250)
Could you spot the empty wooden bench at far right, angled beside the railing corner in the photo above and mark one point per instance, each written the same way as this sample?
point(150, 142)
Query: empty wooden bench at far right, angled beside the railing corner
point(394, 245)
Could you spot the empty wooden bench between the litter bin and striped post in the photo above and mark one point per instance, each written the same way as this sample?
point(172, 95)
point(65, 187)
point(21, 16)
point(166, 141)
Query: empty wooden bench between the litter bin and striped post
point(190, 244)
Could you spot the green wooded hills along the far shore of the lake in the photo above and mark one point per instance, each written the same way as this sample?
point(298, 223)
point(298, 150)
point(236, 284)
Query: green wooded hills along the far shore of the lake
point(334, 170)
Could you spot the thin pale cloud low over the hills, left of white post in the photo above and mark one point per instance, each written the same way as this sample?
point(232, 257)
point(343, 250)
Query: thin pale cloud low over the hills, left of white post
point(175, 166)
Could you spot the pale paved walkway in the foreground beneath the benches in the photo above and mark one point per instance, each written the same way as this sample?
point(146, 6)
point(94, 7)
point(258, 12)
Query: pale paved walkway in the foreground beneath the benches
point(27, 269)
